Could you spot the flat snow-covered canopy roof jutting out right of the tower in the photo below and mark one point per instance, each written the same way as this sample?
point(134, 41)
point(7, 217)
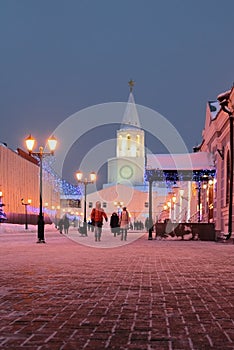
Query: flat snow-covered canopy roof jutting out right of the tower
point(189, 161)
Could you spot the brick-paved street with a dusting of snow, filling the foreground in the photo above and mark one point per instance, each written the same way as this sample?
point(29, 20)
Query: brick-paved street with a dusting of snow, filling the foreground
point(143, 295)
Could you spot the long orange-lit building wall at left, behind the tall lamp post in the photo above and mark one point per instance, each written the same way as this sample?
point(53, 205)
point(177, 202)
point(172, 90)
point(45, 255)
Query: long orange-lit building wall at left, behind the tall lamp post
point(19, 179)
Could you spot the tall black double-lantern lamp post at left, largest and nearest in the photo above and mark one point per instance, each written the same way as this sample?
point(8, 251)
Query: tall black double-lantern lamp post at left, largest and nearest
point(52, 142)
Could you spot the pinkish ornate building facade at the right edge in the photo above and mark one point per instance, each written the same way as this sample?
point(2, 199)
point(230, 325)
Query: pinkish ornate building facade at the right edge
point(216, 139)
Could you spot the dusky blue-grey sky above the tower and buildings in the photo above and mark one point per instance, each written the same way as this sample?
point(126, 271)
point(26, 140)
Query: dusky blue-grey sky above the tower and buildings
point(59, 57)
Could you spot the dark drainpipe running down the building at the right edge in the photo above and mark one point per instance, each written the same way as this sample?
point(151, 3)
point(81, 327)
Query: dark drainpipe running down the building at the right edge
point(224, 103)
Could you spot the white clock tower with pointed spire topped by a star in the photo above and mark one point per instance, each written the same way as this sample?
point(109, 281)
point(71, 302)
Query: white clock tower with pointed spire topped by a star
point(129, 165)
